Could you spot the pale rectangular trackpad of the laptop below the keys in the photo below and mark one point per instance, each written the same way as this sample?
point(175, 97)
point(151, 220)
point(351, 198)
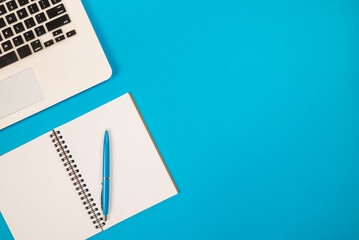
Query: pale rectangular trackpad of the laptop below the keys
point(18, 92)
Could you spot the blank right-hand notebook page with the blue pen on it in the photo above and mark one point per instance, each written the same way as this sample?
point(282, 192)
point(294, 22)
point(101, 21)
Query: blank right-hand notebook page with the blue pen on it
point(139, 178)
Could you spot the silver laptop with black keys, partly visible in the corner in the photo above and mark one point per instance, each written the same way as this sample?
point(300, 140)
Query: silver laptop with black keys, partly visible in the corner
point(48, 52)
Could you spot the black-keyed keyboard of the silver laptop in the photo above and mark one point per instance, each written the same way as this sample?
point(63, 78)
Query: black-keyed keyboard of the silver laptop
point(23, 22)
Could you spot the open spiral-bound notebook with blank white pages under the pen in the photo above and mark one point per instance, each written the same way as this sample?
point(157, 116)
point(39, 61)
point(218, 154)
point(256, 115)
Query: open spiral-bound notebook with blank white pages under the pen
point(51, 187)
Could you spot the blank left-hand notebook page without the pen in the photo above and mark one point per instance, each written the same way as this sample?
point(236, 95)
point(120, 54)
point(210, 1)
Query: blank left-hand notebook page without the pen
point(37, 199)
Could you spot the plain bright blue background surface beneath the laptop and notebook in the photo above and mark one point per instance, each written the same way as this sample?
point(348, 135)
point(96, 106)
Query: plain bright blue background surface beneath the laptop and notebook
point(253, 104)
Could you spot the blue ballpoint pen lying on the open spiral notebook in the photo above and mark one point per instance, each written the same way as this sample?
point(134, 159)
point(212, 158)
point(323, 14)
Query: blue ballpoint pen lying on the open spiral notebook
point(105, 194)
